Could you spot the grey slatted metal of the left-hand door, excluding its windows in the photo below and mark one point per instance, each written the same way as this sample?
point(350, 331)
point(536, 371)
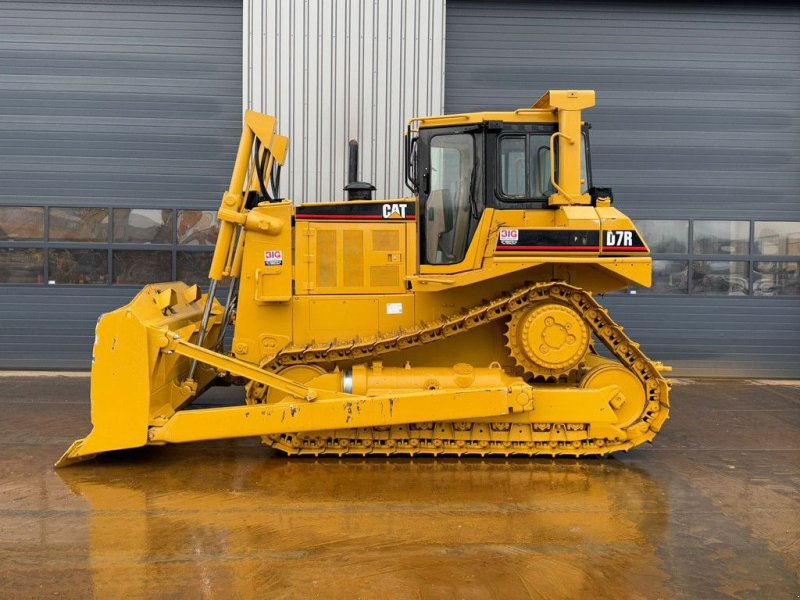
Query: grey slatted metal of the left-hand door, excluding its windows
point(120, 103)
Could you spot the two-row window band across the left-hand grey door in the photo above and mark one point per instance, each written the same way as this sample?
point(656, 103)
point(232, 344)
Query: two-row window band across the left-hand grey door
point(100, 245)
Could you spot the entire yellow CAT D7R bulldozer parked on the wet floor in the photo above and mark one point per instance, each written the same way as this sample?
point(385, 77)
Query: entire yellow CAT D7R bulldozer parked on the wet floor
point(462, 320)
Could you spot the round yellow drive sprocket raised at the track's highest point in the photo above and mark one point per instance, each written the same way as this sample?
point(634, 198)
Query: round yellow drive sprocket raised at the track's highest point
point(548, 340)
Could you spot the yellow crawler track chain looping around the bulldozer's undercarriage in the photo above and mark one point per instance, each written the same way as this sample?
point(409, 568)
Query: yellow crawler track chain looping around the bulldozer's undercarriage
point(480, 438)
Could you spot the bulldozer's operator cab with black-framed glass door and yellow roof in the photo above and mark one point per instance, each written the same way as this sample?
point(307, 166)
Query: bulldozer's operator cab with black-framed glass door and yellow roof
point(459, 165)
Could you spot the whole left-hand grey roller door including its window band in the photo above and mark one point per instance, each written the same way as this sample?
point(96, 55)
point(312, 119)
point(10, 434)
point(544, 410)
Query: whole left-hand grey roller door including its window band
point(117, 115)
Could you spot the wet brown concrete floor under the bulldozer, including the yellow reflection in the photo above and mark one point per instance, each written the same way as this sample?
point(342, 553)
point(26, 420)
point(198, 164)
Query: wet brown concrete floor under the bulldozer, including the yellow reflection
point(711, 510)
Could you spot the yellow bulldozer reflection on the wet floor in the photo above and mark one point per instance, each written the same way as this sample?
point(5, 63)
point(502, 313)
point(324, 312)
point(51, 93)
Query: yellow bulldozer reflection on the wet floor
point(365, 527)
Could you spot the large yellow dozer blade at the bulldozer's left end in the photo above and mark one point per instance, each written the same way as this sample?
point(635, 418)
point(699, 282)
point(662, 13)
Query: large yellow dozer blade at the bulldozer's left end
point(132, 382)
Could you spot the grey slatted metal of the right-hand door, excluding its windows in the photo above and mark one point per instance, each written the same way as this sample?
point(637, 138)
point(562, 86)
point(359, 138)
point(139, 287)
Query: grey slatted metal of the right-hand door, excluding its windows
point(698, 117)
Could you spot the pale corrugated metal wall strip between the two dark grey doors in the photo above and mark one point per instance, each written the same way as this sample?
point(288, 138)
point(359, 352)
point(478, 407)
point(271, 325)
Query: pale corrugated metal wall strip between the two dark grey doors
point(334, 71)
